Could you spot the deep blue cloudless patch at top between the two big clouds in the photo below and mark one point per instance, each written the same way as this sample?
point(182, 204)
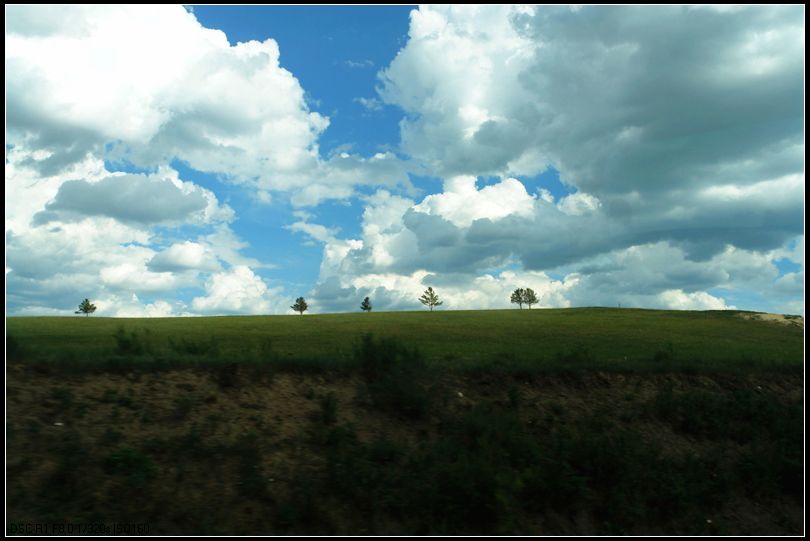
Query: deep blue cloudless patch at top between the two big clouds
point(335, 52)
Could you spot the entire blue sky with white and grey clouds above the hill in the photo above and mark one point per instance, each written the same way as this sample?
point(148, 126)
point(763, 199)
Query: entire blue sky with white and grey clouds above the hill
point(225, 160)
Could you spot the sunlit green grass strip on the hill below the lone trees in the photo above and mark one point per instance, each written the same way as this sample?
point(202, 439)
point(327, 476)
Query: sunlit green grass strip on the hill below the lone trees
point(603, 338)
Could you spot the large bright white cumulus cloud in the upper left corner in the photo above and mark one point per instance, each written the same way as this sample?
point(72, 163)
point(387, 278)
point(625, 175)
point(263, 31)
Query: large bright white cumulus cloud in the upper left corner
point(150, 84)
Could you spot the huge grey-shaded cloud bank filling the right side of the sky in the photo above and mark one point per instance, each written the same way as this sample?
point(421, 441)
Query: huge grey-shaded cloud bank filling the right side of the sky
point(679, 130)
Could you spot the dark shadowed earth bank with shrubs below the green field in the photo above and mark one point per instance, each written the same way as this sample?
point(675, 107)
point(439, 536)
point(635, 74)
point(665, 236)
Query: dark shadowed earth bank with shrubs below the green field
point(384, 440)
